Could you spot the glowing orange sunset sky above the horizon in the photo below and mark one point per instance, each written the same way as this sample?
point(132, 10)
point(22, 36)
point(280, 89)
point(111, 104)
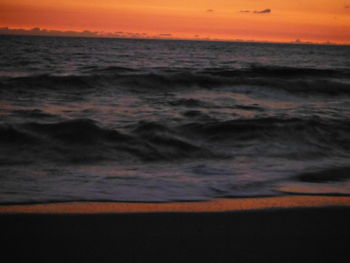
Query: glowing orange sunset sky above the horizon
point(308, 20)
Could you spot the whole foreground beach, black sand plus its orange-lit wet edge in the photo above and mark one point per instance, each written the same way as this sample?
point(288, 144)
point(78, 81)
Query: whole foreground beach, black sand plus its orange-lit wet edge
point(313, 232)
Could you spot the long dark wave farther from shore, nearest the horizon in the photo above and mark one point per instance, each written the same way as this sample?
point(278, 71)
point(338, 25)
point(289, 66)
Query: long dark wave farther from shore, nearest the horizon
point(293, 80)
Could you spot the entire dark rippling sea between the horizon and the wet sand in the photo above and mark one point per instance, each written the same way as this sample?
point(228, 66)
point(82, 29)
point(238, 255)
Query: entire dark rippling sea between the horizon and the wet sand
point(152, 120)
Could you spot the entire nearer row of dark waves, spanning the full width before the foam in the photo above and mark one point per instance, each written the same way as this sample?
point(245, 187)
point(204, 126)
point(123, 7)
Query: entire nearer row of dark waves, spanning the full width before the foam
point(84, 140)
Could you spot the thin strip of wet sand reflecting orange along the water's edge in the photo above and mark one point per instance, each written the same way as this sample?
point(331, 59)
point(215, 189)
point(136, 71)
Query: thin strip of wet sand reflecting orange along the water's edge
point(215, 205)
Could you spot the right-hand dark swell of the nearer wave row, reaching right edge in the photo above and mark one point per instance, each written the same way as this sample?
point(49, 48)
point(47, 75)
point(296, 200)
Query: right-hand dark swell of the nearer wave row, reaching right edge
point(320, 137)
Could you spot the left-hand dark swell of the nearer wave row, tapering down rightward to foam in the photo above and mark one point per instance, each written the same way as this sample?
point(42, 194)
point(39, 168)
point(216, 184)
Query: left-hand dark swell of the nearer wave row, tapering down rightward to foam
point(84, 141)
